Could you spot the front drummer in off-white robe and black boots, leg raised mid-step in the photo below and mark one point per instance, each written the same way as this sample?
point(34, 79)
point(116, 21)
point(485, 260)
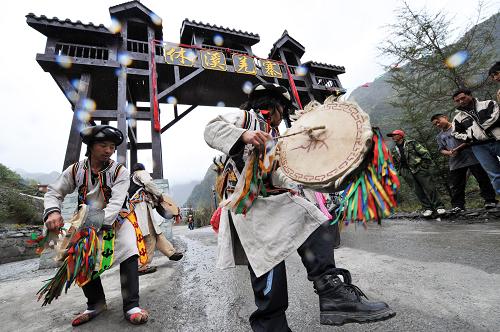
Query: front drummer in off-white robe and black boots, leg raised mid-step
point(279, 224)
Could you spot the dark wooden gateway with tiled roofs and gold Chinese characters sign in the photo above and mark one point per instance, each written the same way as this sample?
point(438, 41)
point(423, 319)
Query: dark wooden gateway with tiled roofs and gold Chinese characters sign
point(105, 73)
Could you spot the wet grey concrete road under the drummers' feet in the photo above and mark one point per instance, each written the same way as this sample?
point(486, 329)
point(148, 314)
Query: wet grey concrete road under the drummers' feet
point(438, 276)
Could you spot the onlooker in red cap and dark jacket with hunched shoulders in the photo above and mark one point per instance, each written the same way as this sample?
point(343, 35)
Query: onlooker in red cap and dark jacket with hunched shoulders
point(413, 163)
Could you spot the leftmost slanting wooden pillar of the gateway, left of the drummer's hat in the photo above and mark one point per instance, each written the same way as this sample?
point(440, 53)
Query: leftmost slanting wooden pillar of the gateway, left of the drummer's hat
point(75, 141)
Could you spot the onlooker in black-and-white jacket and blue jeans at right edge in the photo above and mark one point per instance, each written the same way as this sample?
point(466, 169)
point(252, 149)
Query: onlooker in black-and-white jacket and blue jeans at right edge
point(477, 123)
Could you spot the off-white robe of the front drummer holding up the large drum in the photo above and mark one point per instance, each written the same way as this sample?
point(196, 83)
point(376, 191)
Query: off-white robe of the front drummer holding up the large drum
point(275, 226)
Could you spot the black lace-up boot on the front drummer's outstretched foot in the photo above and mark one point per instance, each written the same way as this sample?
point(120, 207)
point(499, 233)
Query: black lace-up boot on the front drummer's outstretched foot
point(342, 302)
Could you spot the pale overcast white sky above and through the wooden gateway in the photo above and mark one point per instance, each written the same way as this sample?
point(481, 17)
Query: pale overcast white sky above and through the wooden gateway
point(36, 117)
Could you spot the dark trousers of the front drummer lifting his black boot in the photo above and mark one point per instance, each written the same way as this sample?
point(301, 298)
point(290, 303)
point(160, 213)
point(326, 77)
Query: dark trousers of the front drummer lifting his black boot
point(270, 289)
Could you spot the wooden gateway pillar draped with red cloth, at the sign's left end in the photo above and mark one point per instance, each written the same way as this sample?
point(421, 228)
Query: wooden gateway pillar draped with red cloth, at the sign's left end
point(155, 135)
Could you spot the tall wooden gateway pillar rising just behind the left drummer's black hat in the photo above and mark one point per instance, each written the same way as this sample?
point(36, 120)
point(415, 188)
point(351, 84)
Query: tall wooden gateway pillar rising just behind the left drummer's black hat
point(121, 104)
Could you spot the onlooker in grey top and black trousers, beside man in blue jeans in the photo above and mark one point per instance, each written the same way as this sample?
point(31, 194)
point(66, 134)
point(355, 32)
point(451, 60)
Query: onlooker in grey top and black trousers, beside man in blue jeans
point(461, 159)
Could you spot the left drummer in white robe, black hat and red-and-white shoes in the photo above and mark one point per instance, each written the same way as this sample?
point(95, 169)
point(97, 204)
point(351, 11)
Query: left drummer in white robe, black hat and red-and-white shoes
point(102, 184)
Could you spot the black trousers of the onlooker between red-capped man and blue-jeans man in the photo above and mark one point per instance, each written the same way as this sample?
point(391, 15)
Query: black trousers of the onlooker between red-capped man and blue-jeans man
point(458, 180)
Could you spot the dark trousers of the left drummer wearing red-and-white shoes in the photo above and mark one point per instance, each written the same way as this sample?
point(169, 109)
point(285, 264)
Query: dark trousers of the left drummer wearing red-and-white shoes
point(129, 278)
